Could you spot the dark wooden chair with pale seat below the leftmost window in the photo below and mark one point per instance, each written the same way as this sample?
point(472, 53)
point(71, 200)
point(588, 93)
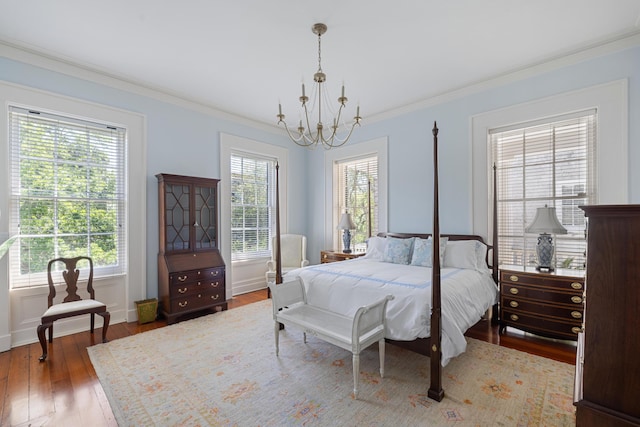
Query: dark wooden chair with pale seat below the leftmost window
point(72, 305)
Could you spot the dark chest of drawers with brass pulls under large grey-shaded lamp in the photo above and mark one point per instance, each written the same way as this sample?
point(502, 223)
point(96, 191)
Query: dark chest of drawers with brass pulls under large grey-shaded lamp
point(544, 303)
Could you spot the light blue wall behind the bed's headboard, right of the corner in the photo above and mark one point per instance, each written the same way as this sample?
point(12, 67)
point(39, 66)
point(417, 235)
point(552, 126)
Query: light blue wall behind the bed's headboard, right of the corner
point(410, 144)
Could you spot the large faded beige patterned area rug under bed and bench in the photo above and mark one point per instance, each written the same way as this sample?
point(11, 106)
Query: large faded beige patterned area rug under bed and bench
point(221, 370)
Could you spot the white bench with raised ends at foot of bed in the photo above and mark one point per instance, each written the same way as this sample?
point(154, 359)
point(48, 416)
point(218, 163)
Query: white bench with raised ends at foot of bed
point(350, 333)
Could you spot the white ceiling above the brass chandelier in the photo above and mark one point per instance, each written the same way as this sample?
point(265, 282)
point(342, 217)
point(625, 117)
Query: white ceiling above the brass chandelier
point(243, 56)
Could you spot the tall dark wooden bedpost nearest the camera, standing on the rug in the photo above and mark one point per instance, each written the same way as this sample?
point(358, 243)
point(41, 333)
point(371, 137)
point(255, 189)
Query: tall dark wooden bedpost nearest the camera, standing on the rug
point(435, 389)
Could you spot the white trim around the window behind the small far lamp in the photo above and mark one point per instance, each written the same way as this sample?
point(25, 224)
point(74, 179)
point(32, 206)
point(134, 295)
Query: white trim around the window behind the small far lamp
point(376, 147)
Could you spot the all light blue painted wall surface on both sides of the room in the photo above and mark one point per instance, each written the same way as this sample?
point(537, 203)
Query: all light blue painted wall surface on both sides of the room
point(184, 141)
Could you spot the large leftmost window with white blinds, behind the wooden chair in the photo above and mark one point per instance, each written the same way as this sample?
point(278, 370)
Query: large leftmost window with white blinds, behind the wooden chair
point(67, 194)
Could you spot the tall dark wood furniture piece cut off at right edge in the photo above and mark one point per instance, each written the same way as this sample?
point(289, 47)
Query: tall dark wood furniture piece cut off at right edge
point(608, 368)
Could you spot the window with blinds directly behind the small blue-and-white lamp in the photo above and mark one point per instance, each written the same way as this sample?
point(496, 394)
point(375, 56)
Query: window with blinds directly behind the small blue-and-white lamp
point(358, 195)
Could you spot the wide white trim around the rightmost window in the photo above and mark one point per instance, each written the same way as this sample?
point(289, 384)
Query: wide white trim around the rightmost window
point(611, 101)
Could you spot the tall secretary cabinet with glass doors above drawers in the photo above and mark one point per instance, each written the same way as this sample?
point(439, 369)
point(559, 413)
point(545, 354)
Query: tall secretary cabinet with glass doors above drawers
point(191, 272)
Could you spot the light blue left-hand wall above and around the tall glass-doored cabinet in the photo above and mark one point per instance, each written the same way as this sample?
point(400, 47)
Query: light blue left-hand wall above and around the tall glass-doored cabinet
point(179, 140)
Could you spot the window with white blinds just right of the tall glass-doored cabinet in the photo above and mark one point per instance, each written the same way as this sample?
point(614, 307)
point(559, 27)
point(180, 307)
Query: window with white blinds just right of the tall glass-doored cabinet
point(252, 205)
